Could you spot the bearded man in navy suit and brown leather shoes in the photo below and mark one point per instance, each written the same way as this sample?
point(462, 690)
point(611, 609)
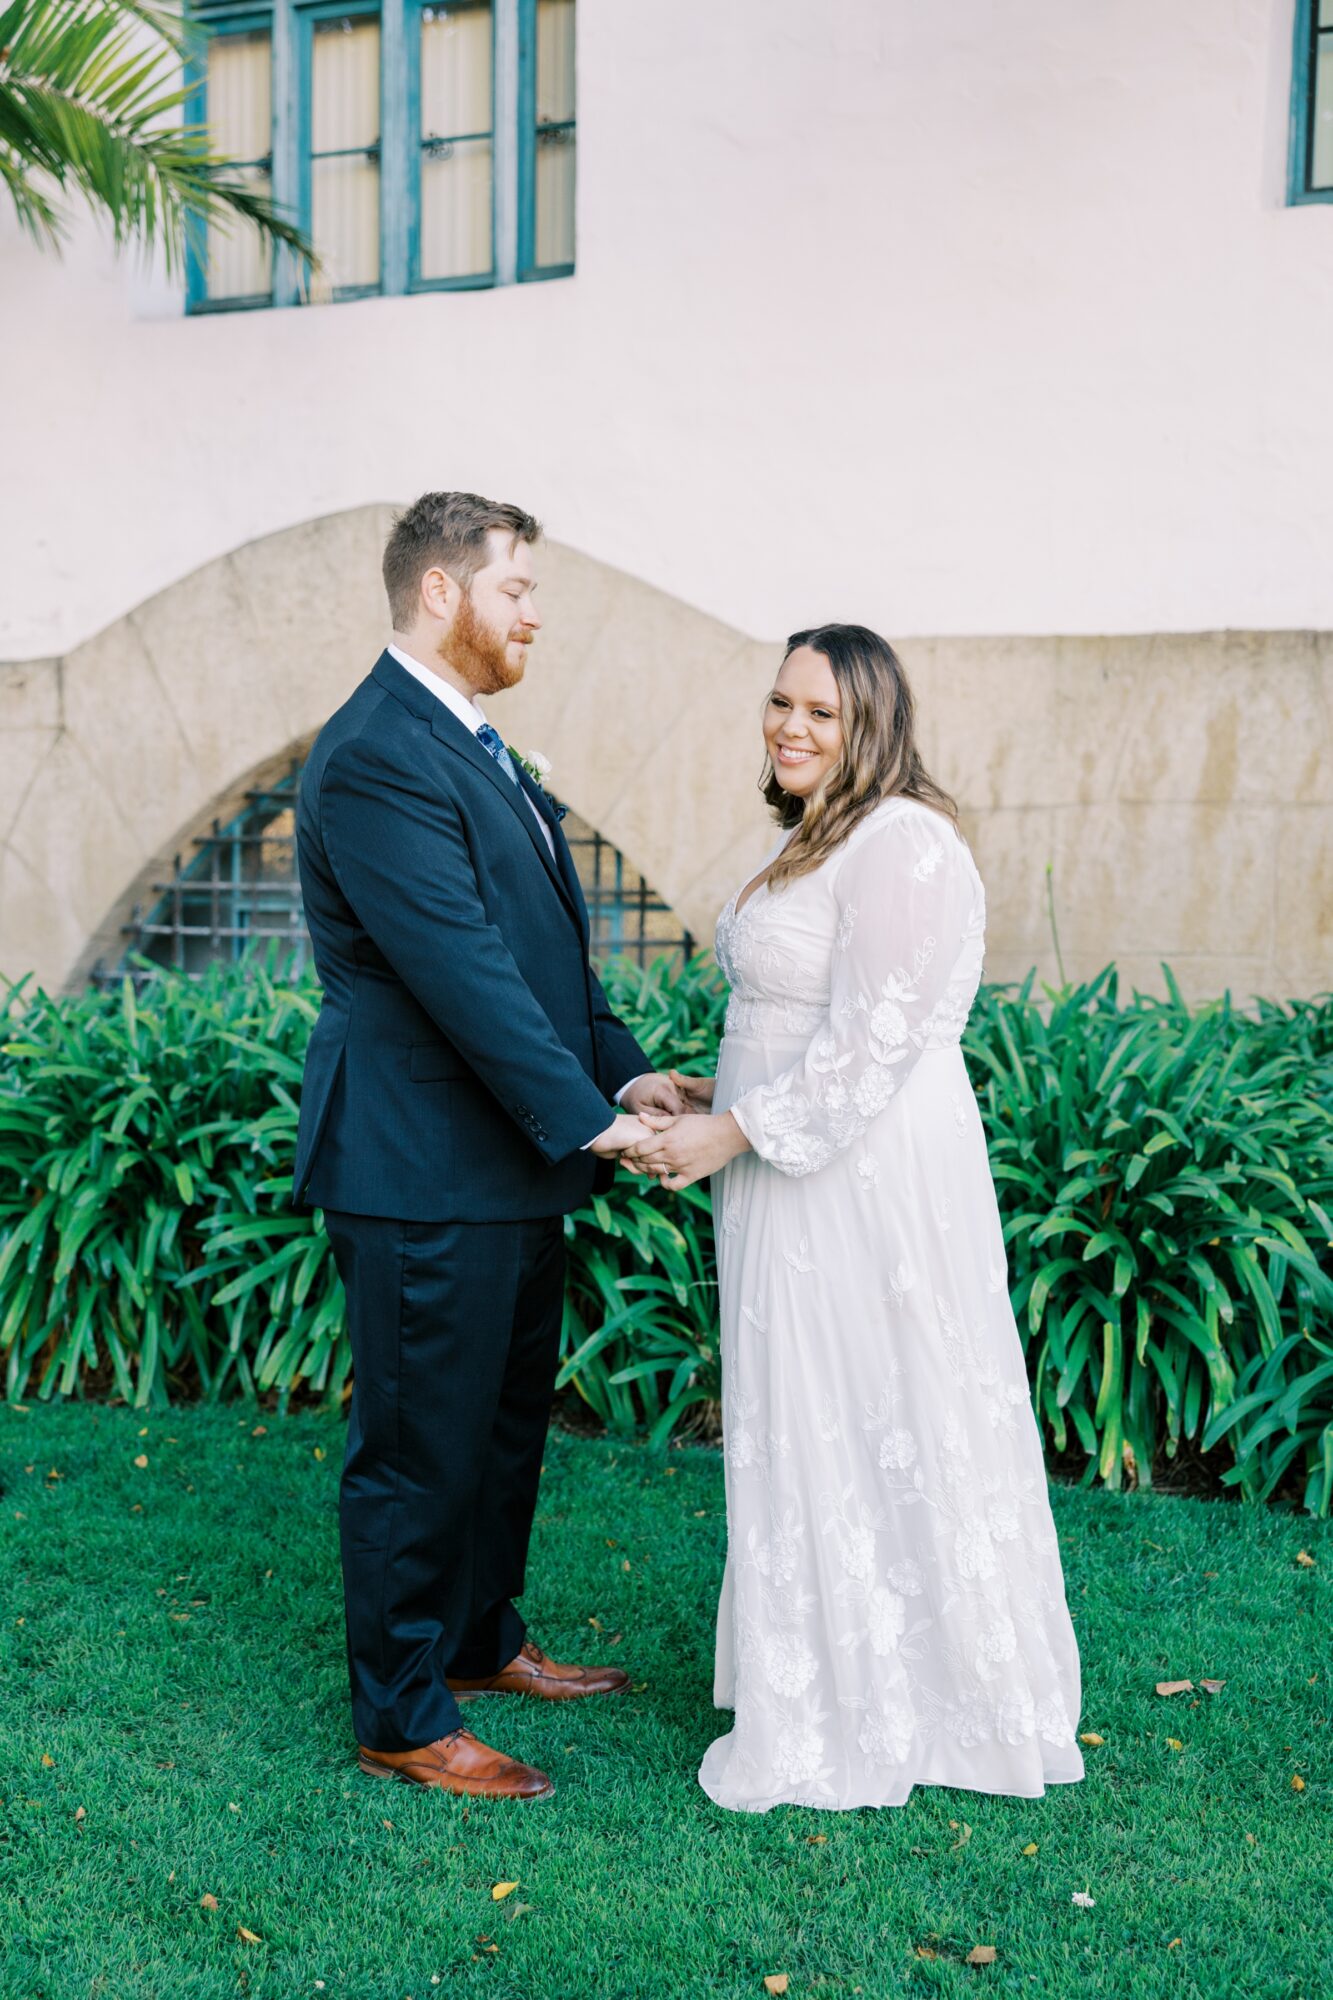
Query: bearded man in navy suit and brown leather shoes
point(455, 1107)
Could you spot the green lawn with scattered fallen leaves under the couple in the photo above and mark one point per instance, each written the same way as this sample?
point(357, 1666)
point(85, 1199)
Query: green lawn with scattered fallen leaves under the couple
point(175, 1727)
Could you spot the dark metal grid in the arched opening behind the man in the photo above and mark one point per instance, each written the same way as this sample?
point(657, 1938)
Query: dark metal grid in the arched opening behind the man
point(239, 893)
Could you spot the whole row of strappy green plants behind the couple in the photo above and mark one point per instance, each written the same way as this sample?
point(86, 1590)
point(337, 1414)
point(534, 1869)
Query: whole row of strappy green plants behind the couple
point(1166, 1179)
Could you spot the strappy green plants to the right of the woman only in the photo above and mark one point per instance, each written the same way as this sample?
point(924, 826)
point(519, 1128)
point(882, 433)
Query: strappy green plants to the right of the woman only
point(1166, 1181)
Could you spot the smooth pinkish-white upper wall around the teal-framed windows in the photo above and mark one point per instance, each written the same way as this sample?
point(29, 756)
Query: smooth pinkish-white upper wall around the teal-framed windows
point(968, 319)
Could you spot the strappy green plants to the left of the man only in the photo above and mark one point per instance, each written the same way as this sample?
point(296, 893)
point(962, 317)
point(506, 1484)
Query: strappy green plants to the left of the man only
point(145, 1177)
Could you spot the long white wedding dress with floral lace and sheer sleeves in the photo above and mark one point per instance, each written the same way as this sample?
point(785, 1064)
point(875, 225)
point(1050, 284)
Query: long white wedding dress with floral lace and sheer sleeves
point(894, 1609)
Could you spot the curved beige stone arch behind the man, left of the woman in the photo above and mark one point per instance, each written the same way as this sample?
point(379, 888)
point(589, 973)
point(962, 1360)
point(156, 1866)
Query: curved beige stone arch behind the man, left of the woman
point(161, 727)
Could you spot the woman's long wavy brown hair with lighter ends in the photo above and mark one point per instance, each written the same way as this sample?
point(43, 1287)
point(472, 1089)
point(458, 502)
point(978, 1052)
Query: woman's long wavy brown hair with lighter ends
point(880, 751)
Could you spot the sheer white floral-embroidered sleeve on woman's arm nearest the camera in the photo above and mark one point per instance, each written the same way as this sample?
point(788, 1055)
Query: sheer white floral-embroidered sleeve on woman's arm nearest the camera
point(906, 971)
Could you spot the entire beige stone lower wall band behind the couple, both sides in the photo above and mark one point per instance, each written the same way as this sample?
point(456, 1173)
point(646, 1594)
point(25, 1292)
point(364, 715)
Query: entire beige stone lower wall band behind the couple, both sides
point(1180, 787)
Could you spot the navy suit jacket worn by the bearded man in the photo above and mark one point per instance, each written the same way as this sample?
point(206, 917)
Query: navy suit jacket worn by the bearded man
point(465, 1051)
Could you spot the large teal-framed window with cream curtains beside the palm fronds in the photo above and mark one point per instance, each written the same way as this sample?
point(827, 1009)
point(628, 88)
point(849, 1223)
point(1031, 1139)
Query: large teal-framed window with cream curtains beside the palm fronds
point(423, 145)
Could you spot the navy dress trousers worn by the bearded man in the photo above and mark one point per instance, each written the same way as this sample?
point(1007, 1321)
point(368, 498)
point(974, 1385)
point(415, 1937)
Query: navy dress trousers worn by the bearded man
point(455, 1343)
